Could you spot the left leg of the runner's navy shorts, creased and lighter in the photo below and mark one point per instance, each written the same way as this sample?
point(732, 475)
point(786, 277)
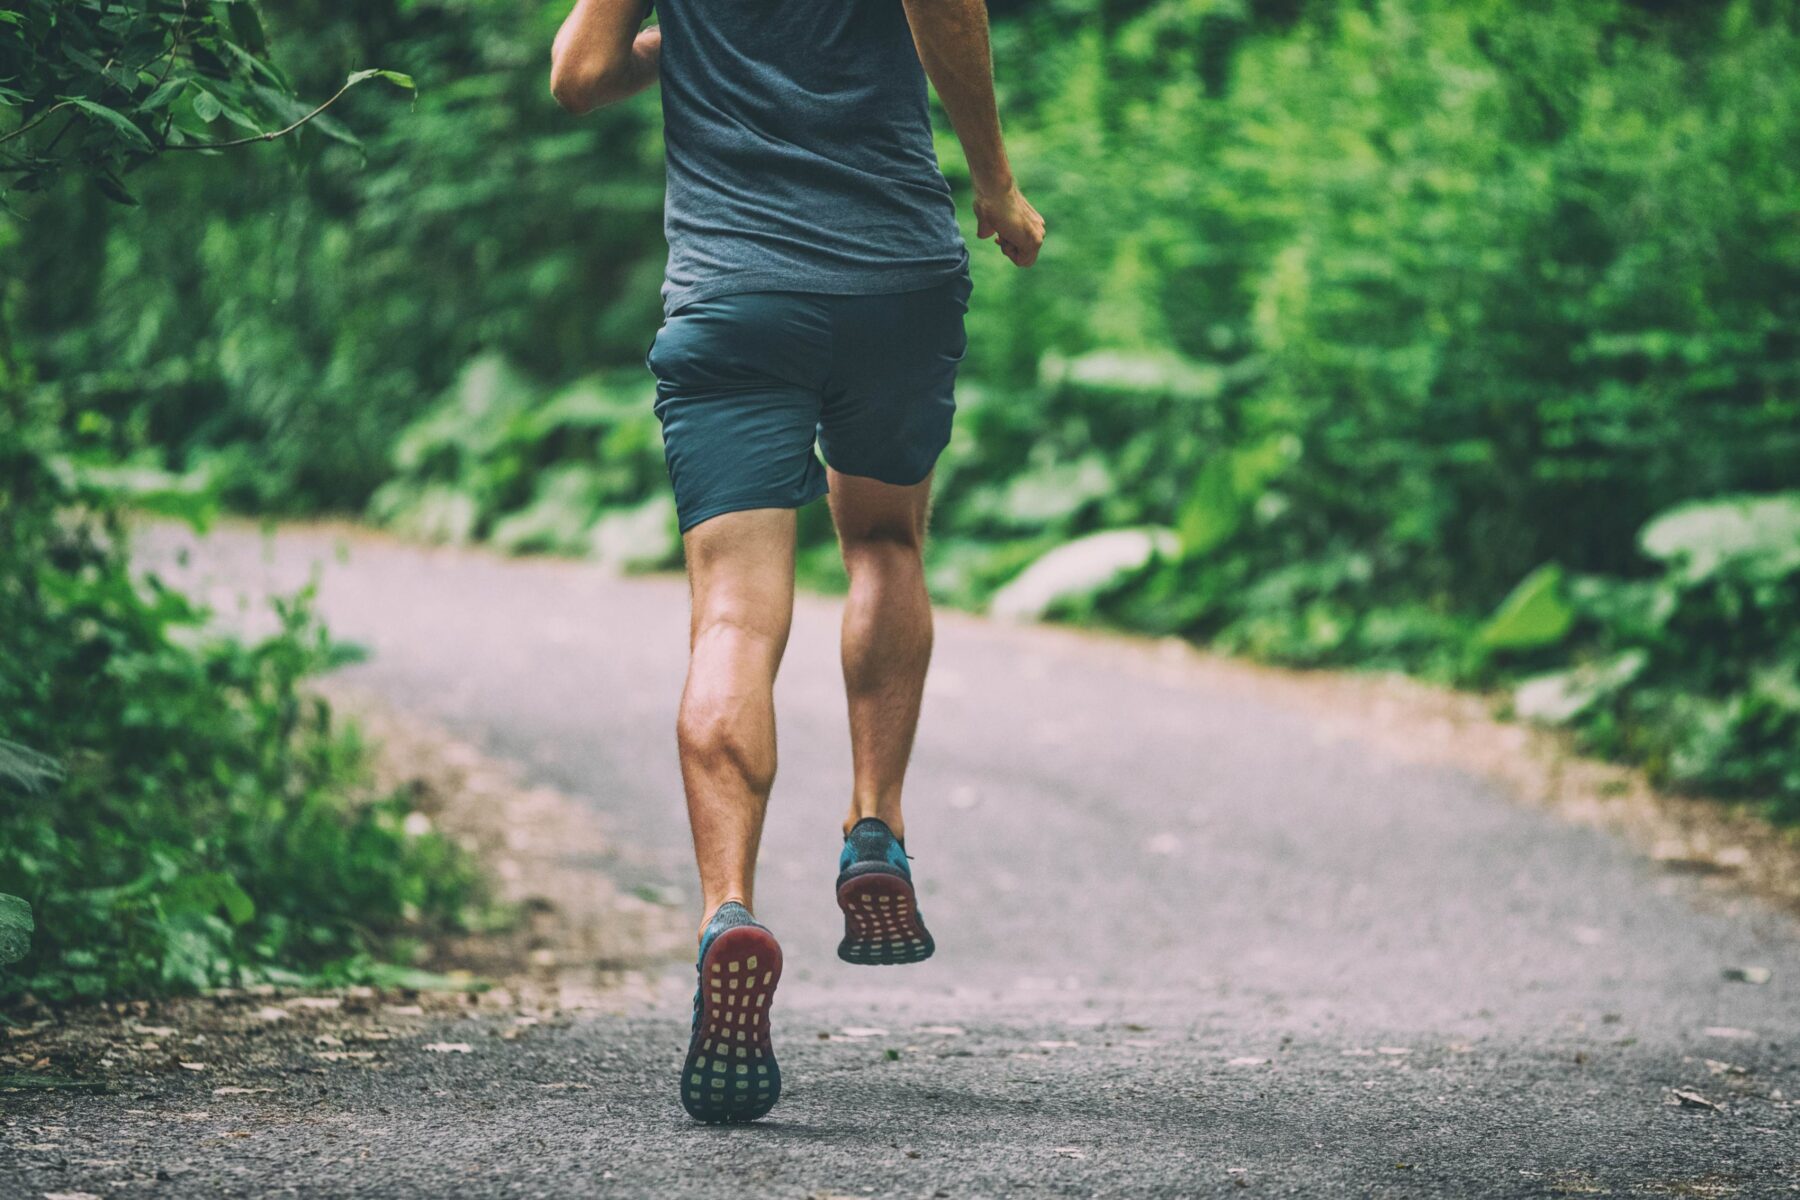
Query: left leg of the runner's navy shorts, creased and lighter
point(739, 386)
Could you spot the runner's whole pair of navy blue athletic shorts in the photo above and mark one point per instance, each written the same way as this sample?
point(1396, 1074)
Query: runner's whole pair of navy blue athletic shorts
point(750, 382)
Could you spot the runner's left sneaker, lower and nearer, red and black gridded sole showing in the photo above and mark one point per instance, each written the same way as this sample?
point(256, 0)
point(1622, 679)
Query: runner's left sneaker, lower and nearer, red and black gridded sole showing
point(732, 1071)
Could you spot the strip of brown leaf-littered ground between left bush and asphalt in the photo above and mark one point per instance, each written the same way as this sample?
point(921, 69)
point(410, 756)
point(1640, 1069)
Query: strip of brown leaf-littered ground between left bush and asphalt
point(579, 945)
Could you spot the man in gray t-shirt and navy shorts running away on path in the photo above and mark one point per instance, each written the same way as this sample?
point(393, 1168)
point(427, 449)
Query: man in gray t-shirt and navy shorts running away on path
point(816, 292)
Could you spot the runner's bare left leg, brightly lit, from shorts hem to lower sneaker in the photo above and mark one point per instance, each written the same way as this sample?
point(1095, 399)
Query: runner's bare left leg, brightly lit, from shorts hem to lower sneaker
point(741, 577)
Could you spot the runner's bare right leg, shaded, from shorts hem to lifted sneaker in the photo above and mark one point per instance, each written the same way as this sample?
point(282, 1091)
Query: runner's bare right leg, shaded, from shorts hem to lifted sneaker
point(881, 530)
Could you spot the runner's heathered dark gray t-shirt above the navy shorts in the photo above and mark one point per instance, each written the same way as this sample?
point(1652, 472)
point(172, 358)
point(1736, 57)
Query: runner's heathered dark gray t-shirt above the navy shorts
point(800, 152)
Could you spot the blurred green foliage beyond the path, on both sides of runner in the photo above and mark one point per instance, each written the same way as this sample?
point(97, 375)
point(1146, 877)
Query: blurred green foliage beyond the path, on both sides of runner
point(1405, 316)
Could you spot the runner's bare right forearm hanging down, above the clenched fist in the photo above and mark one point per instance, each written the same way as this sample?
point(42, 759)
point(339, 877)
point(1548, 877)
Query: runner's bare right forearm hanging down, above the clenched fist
point(953, 46)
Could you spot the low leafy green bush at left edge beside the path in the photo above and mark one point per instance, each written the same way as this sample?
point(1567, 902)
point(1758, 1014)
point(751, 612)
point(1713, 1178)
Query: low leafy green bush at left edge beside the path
point(188, 814)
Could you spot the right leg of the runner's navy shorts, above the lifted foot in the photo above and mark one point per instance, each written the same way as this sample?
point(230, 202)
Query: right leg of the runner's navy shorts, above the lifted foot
point(892, 393)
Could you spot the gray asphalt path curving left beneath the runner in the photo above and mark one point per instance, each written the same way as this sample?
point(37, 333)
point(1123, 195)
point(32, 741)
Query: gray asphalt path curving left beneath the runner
point(1187, 945)
